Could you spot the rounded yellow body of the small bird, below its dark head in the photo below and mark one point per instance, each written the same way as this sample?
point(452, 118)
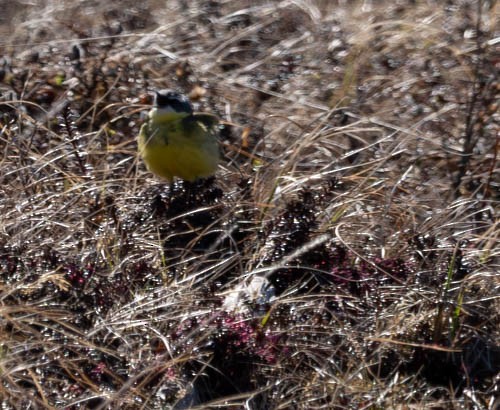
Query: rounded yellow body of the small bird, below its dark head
point(173, 145)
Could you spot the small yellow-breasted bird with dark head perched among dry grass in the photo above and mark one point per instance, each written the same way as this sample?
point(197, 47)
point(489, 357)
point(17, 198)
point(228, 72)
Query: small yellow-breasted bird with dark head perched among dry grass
point(176, 142)
